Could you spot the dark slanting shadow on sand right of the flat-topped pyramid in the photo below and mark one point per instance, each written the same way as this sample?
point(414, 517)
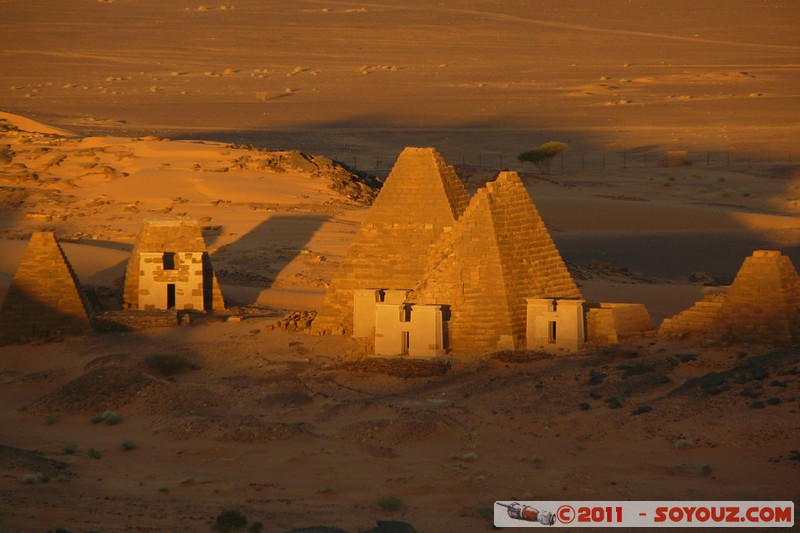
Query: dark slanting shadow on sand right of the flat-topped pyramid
point(257, 258)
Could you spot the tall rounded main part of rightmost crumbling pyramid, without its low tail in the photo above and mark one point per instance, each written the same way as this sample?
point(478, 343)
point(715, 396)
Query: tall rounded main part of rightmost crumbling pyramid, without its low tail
point(763, 302)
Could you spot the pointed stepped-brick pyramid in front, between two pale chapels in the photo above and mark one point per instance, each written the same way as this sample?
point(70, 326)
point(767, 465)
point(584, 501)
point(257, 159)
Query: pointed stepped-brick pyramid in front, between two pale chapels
point(497, 255)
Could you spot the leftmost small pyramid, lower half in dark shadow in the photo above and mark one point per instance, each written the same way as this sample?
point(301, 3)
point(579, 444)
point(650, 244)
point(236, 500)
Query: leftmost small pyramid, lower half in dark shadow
point(44, 298)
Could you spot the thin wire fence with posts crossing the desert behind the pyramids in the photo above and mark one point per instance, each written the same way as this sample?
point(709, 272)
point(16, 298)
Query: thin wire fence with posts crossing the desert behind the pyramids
point(574, 161)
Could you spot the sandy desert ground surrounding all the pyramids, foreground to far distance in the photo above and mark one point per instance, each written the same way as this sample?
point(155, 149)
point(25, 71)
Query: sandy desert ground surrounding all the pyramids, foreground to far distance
point(117, 111)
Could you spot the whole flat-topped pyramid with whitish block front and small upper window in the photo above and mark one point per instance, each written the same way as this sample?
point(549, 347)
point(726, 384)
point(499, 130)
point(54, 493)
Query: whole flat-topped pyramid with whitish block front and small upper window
point(183, 238)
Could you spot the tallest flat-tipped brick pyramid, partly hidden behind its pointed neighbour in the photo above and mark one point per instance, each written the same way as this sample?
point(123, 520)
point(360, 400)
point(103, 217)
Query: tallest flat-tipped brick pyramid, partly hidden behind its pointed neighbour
point(422, 198)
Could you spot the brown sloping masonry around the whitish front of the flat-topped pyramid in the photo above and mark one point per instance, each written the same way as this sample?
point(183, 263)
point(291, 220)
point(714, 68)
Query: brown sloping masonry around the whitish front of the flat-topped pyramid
point(159, 236)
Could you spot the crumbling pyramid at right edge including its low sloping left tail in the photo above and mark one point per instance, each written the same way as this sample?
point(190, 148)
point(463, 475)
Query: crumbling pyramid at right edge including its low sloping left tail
point(761, 306)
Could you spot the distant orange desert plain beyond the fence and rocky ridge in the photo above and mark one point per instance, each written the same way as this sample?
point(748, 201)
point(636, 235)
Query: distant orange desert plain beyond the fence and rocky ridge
point(365, 79)
